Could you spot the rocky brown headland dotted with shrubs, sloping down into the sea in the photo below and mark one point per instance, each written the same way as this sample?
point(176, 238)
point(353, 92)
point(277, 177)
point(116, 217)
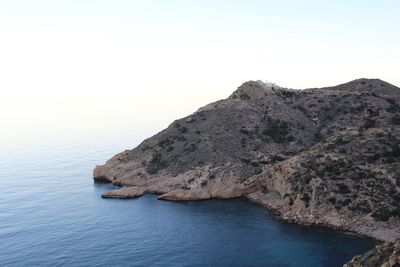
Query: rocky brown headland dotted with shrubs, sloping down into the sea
point(327, 156)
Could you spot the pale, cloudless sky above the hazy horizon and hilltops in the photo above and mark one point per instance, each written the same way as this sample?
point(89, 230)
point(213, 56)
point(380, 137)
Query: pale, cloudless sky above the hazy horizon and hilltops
point(177, 50)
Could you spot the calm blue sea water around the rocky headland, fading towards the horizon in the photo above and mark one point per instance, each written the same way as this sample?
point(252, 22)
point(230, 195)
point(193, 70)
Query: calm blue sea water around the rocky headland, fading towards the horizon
point(51, 212)
